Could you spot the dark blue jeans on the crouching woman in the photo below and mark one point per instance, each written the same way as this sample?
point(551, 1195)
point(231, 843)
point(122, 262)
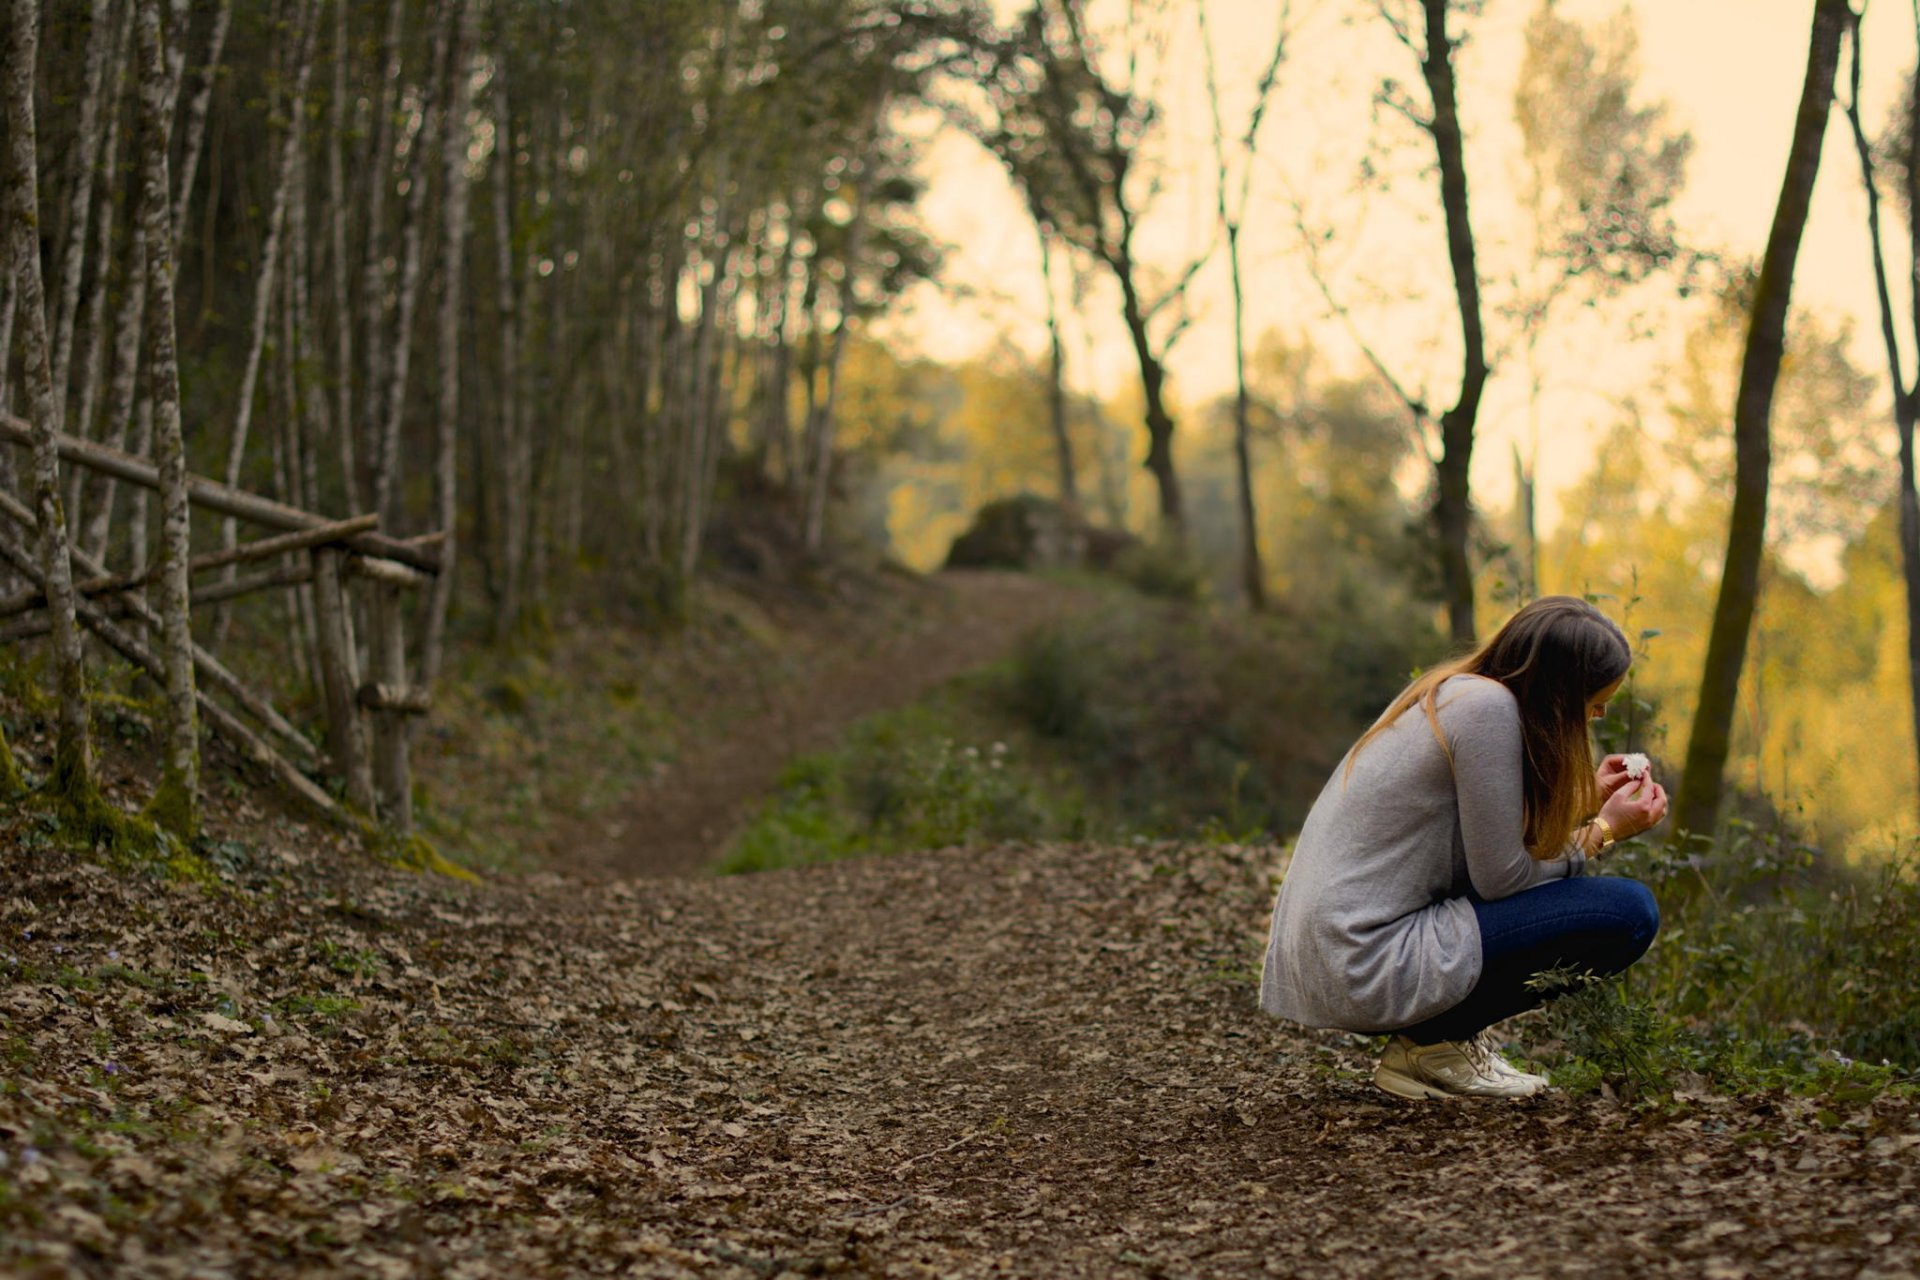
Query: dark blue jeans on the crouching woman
point(1596, 924)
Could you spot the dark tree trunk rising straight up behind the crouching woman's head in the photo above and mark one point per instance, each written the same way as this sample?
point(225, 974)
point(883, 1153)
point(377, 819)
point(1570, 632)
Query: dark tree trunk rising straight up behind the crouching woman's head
point(1454, 508)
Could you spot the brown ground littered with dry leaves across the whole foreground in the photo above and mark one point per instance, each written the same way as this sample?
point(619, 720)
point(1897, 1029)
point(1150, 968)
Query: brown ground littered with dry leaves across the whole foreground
point(1036, 1062)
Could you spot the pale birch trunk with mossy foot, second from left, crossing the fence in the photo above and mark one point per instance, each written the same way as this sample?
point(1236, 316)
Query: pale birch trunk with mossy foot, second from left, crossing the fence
point(178, 801)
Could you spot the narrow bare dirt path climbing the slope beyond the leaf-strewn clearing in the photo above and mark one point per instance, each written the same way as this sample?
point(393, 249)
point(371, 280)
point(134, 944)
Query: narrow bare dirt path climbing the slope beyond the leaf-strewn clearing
point(683, 818)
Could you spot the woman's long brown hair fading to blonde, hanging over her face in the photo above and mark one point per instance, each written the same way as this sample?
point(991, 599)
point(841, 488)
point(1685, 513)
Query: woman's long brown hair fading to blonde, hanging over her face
point(1554, 657)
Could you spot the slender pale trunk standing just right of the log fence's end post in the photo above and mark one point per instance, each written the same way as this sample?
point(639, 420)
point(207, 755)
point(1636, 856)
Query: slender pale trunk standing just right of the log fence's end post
point(452, 304)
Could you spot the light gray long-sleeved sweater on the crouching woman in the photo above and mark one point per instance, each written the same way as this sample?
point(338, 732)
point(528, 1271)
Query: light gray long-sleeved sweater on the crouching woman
point(1374, 930)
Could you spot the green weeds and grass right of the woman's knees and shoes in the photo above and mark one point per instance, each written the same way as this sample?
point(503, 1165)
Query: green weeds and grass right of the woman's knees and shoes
point(1773, 970)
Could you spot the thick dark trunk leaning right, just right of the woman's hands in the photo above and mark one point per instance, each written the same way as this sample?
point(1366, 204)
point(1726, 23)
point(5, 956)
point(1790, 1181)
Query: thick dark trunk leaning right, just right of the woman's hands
point(1746, 538)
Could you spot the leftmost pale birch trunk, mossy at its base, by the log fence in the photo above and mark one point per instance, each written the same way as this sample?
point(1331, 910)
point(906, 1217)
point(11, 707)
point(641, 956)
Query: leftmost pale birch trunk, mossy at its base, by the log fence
point(74, 751)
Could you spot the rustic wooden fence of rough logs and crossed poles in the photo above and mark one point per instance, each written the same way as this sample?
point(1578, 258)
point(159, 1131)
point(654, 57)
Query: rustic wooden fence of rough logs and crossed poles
point(368, 709)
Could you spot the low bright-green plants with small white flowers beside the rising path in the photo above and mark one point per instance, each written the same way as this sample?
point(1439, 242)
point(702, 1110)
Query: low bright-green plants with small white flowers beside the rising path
point(901, 782)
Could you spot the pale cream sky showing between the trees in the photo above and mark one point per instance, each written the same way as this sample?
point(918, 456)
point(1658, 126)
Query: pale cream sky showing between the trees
point(1729, 70)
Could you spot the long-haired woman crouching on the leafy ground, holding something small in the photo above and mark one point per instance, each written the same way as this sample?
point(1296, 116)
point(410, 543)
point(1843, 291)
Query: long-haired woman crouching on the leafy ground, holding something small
point(1443, 865)
